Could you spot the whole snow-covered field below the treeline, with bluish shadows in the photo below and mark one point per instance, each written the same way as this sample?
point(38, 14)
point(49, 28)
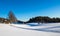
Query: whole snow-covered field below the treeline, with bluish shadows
point(31, 29)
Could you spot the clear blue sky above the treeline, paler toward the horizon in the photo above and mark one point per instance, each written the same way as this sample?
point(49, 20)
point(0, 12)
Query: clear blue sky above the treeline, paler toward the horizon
point(26, 9)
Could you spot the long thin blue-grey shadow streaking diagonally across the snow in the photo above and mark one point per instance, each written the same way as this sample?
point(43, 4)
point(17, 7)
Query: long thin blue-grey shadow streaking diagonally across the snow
point(45, 30)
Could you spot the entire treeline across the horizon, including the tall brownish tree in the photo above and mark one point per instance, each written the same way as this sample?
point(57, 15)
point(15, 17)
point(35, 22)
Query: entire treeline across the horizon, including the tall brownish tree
point(39, 19)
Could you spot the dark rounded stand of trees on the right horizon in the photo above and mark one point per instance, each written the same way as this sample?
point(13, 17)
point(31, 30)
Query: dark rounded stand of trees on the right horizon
point(44, 19)
